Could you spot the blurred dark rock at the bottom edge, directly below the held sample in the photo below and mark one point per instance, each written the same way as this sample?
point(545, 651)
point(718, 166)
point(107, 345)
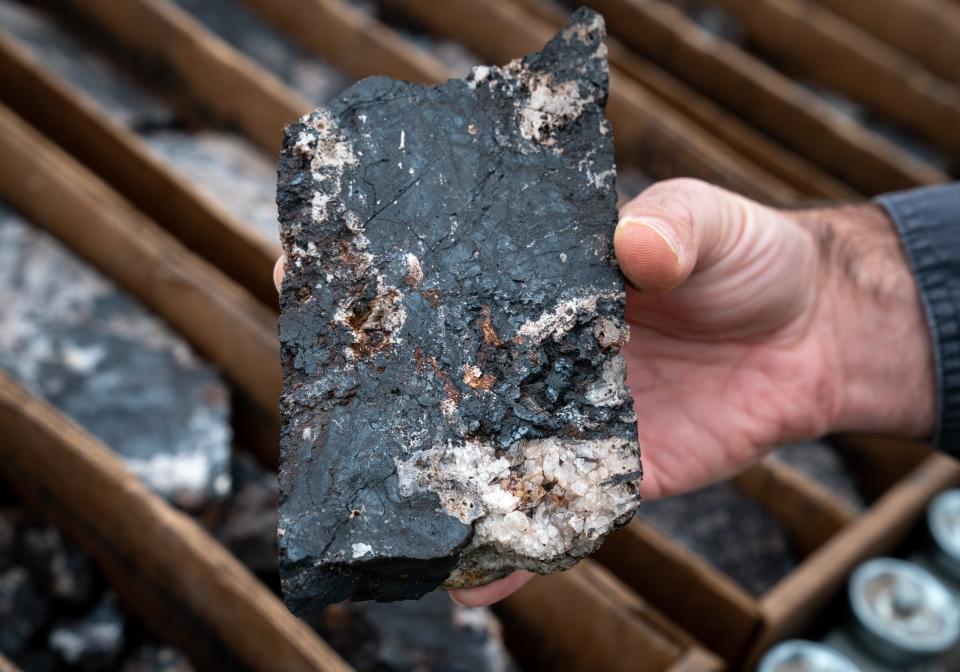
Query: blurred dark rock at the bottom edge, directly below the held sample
point(431, 633)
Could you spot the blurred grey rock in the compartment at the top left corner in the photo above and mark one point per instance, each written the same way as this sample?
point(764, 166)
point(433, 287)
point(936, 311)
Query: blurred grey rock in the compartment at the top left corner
point(75, 62)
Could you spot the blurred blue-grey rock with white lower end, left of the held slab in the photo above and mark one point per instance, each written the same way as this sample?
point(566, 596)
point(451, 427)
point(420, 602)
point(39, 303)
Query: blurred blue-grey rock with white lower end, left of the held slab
point(89, 349)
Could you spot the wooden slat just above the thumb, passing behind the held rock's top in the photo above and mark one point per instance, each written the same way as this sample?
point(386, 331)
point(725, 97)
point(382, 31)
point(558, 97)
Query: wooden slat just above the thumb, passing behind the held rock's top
point(648, 133)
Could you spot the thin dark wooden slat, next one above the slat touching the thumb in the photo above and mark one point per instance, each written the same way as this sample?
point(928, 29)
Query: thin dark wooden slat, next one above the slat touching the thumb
point(775, 159)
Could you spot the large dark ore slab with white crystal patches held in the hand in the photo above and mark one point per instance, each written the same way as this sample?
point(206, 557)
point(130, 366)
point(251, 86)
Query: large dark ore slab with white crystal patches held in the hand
point(454, 405)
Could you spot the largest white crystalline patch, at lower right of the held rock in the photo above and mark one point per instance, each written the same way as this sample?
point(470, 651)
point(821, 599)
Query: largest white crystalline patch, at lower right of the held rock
point(538, 499)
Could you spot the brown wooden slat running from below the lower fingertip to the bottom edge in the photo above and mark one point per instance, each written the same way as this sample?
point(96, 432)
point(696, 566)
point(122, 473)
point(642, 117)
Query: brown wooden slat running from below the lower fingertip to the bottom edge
point(586, 620)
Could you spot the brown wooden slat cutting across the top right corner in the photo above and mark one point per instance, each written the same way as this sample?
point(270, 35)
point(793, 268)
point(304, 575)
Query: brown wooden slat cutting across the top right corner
point(928, 30)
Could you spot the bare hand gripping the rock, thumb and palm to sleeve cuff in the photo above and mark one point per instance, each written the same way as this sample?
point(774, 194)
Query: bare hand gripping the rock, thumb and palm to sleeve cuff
point(752, 327)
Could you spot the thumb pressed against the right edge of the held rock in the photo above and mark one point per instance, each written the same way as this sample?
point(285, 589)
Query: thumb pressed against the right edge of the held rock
point(672, 228)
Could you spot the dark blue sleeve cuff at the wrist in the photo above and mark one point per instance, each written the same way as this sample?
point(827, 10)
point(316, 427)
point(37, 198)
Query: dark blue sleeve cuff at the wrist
point(928, 220)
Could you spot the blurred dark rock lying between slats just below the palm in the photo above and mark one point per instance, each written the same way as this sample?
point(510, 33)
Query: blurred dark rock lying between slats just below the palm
point(730, 531)
